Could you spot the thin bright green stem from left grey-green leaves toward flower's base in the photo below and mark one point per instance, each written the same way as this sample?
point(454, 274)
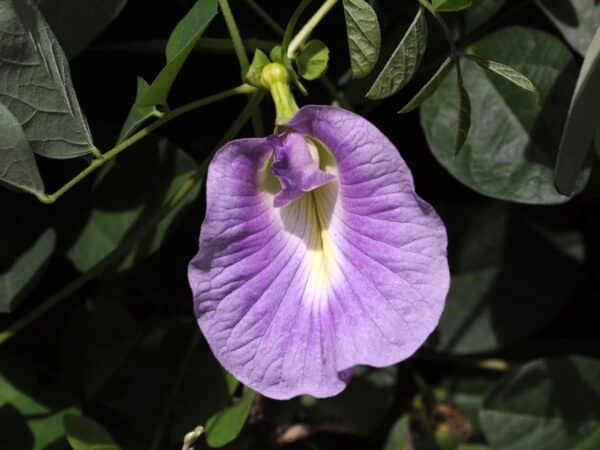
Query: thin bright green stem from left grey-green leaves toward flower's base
point(167, 117)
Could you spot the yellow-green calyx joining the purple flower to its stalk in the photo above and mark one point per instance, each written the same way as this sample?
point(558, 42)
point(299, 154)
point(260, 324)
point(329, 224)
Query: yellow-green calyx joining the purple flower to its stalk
point(276, 79)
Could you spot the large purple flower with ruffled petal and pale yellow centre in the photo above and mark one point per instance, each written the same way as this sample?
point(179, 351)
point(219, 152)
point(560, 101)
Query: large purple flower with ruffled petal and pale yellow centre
point(316, 255)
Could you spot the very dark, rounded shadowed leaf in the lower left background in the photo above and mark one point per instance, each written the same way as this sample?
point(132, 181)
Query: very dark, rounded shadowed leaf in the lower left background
point(95, 343)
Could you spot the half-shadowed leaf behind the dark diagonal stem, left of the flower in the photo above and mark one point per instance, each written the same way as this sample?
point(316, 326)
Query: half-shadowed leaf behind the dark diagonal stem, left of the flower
point(151, 176)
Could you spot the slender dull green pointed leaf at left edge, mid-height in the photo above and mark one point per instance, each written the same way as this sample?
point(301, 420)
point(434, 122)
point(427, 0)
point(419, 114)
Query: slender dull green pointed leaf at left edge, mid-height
point(18, 279)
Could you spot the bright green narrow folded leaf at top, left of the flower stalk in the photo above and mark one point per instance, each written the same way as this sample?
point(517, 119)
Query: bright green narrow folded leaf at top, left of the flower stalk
point(181, 42)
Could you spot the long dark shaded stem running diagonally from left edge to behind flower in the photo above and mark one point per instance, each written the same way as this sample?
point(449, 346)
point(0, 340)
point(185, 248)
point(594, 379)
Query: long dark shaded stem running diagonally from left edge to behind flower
point(173, 202)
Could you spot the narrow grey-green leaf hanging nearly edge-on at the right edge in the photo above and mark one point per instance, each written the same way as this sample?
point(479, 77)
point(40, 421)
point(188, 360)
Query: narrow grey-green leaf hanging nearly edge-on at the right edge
point(582, 121)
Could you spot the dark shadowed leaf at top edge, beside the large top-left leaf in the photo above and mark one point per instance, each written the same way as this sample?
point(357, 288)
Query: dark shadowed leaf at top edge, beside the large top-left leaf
point(76, 23)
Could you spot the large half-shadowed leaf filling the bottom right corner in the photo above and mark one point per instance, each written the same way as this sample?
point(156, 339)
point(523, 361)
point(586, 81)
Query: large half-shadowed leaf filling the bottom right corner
point(549, 404)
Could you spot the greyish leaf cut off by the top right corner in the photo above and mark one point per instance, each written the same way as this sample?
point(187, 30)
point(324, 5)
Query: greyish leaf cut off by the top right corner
point(577, 20)
